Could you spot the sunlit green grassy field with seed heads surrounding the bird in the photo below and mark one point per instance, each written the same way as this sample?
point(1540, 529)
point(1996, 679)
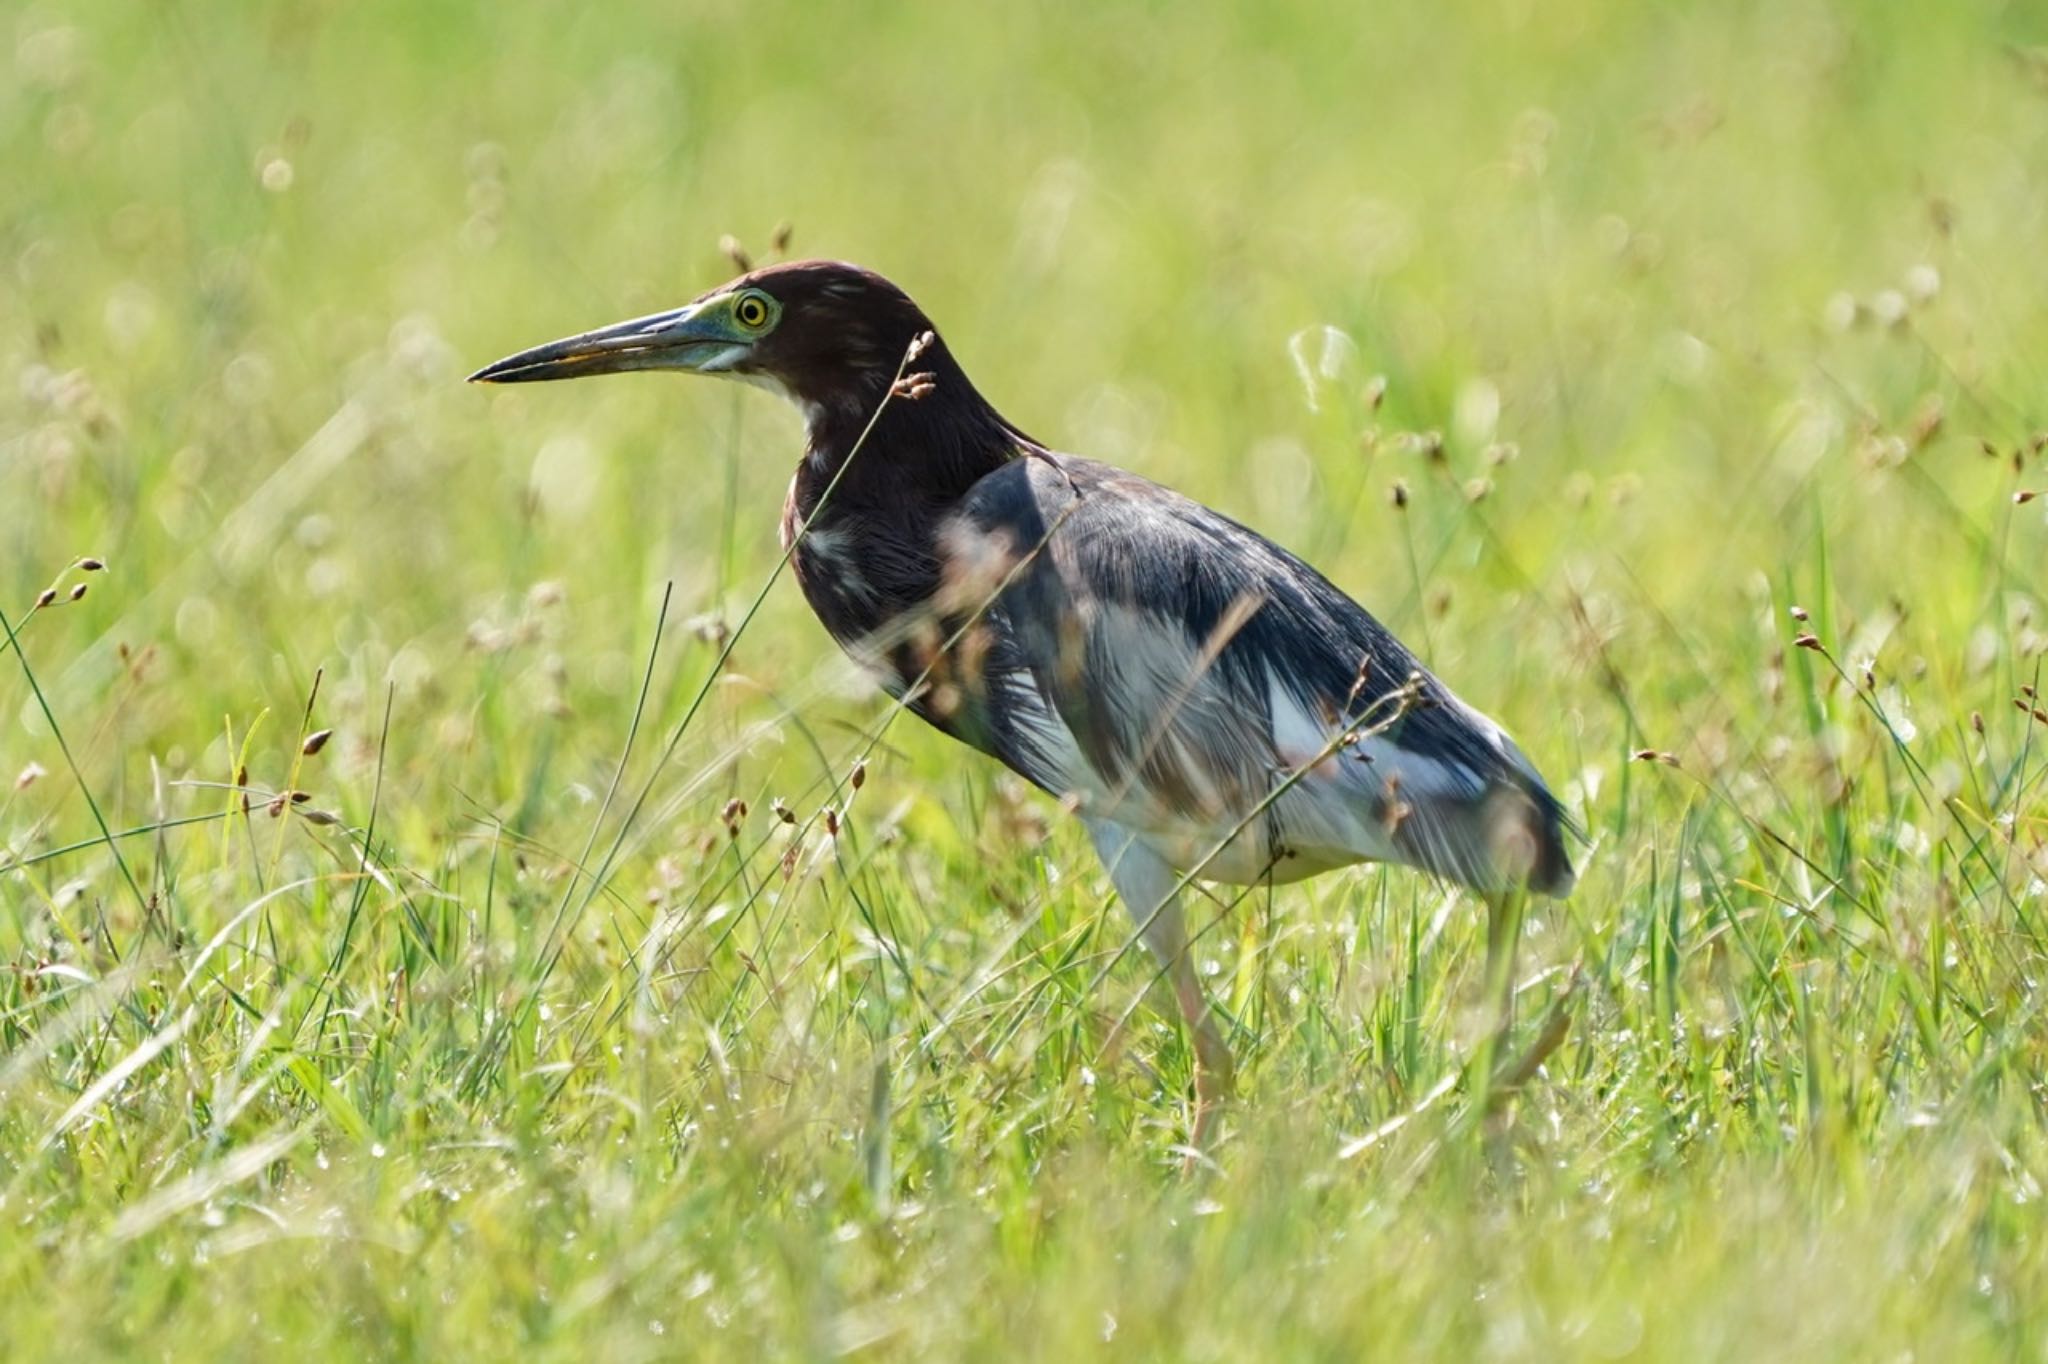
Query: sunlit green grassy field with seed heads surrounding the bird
point(1707, 345)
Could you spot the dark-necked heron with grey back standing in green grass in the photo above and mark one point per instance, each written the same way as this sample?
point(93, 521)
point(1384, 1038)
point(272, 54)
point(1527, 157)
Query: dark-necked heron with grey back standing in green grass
point(1207, 704)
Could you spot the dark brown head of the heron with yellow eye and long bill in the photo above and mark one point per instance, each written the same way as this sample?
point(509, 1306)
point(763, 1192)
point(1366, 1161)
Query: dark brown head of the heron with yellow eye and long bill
point(826, 335)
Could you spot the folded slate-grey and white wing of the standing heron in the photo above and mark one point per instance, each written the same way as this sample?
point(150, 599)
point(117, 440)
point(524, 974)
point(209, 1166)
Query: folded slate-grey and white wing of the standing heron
point(1199, 685)
